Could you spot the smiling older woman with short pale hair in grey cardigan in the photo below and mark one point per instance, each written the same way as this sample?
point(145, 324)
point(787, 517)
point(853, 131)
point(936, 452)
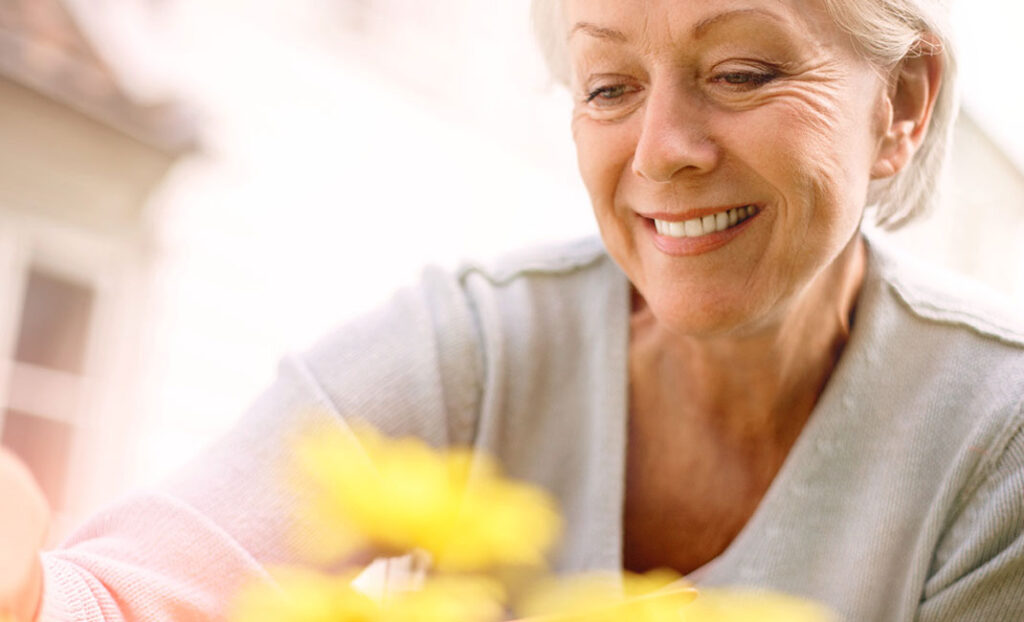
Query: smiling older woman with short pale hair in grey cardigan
point(737, 385)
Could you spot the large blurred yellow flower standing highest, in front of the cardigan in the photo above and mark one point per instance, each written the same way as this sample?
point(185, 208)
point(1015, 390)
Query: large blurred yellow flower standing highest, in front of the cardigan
point(402, 495)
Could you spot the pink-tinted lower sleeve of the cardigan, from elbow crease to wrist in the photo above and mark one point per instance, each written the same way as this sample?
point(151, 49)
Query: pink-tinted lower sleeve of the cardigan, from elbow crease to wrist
point(182, 551)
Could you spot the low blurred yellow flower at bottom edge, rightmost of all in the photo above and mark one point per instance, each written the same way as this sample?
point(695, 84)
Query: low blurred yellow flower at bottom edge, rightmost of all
point(749, 606)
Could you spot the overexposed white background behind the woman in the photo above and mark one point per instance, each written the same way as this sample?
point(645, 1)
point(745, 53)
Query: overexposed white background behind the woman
point(346, 144)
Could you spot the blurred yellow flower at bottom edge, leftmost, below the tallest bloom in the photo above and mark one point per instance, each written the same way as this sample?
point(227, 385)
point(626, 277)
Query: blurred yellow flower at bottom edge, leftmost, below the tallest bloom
point(309, 597)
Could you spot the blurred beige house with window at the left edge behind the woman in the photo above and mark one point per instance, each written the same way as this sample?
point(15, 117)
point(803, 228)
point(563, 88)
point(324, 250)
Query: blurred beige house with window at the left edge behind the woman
point(78, 160)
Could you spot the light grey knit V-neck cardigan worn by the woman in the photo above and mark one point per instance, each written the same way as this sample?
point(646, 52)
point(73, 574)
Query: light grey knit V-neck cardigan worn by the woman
point(904, 499)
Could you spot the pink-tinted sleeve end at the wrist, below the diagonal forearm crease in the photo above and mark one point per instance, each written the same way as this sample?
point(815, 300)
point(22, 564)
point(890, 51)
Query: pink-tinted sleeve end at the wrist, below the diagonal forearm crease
point(152, 558)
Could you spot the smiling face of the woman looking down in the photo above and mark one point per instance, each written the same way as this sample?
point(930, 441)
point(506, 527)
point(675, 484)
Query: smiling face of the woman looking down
point(691, 114)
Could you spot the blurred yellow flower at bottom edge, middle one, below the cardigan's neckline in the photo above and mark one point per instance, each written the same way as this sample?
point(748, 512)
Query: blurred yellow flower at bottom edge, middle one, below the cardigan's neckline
point(655, 597)
